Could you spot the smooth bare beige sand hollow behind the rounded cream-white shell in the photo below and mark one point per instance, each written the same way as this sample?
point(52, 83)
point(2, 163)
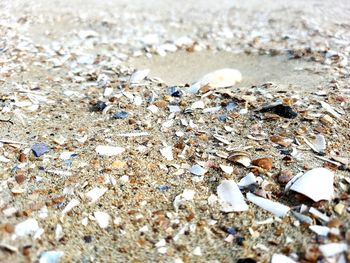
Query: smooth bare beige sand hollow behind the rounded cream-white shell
point(183, 67)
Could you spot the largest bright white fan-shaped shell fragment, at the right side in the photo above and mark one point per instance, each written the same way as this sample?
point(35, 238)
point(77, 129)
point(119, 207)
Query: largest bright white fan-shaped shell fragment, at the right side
point(317, 184)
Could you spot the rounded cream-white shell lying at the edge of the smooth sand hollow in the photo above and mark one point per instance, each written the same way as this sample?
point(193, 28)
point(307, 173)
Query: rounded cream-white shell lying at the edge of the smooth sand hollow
point(222, 78)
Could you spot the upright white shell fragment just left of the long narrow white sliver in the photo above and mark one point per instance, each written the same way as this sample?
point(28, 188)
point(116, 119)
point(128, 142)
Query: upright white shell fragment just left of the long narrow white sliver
point(231, 197)
